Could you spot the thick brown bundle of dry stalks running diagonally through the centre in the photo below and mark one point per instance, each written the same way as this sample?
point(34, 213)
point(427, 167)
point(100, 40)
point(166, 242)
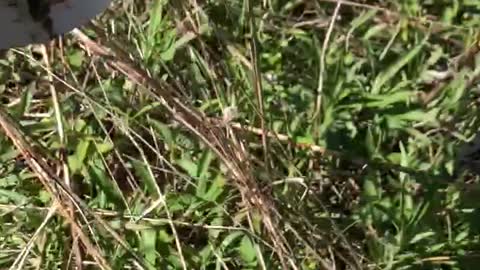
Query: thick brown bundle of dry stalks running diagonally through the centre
point(204, 128)
